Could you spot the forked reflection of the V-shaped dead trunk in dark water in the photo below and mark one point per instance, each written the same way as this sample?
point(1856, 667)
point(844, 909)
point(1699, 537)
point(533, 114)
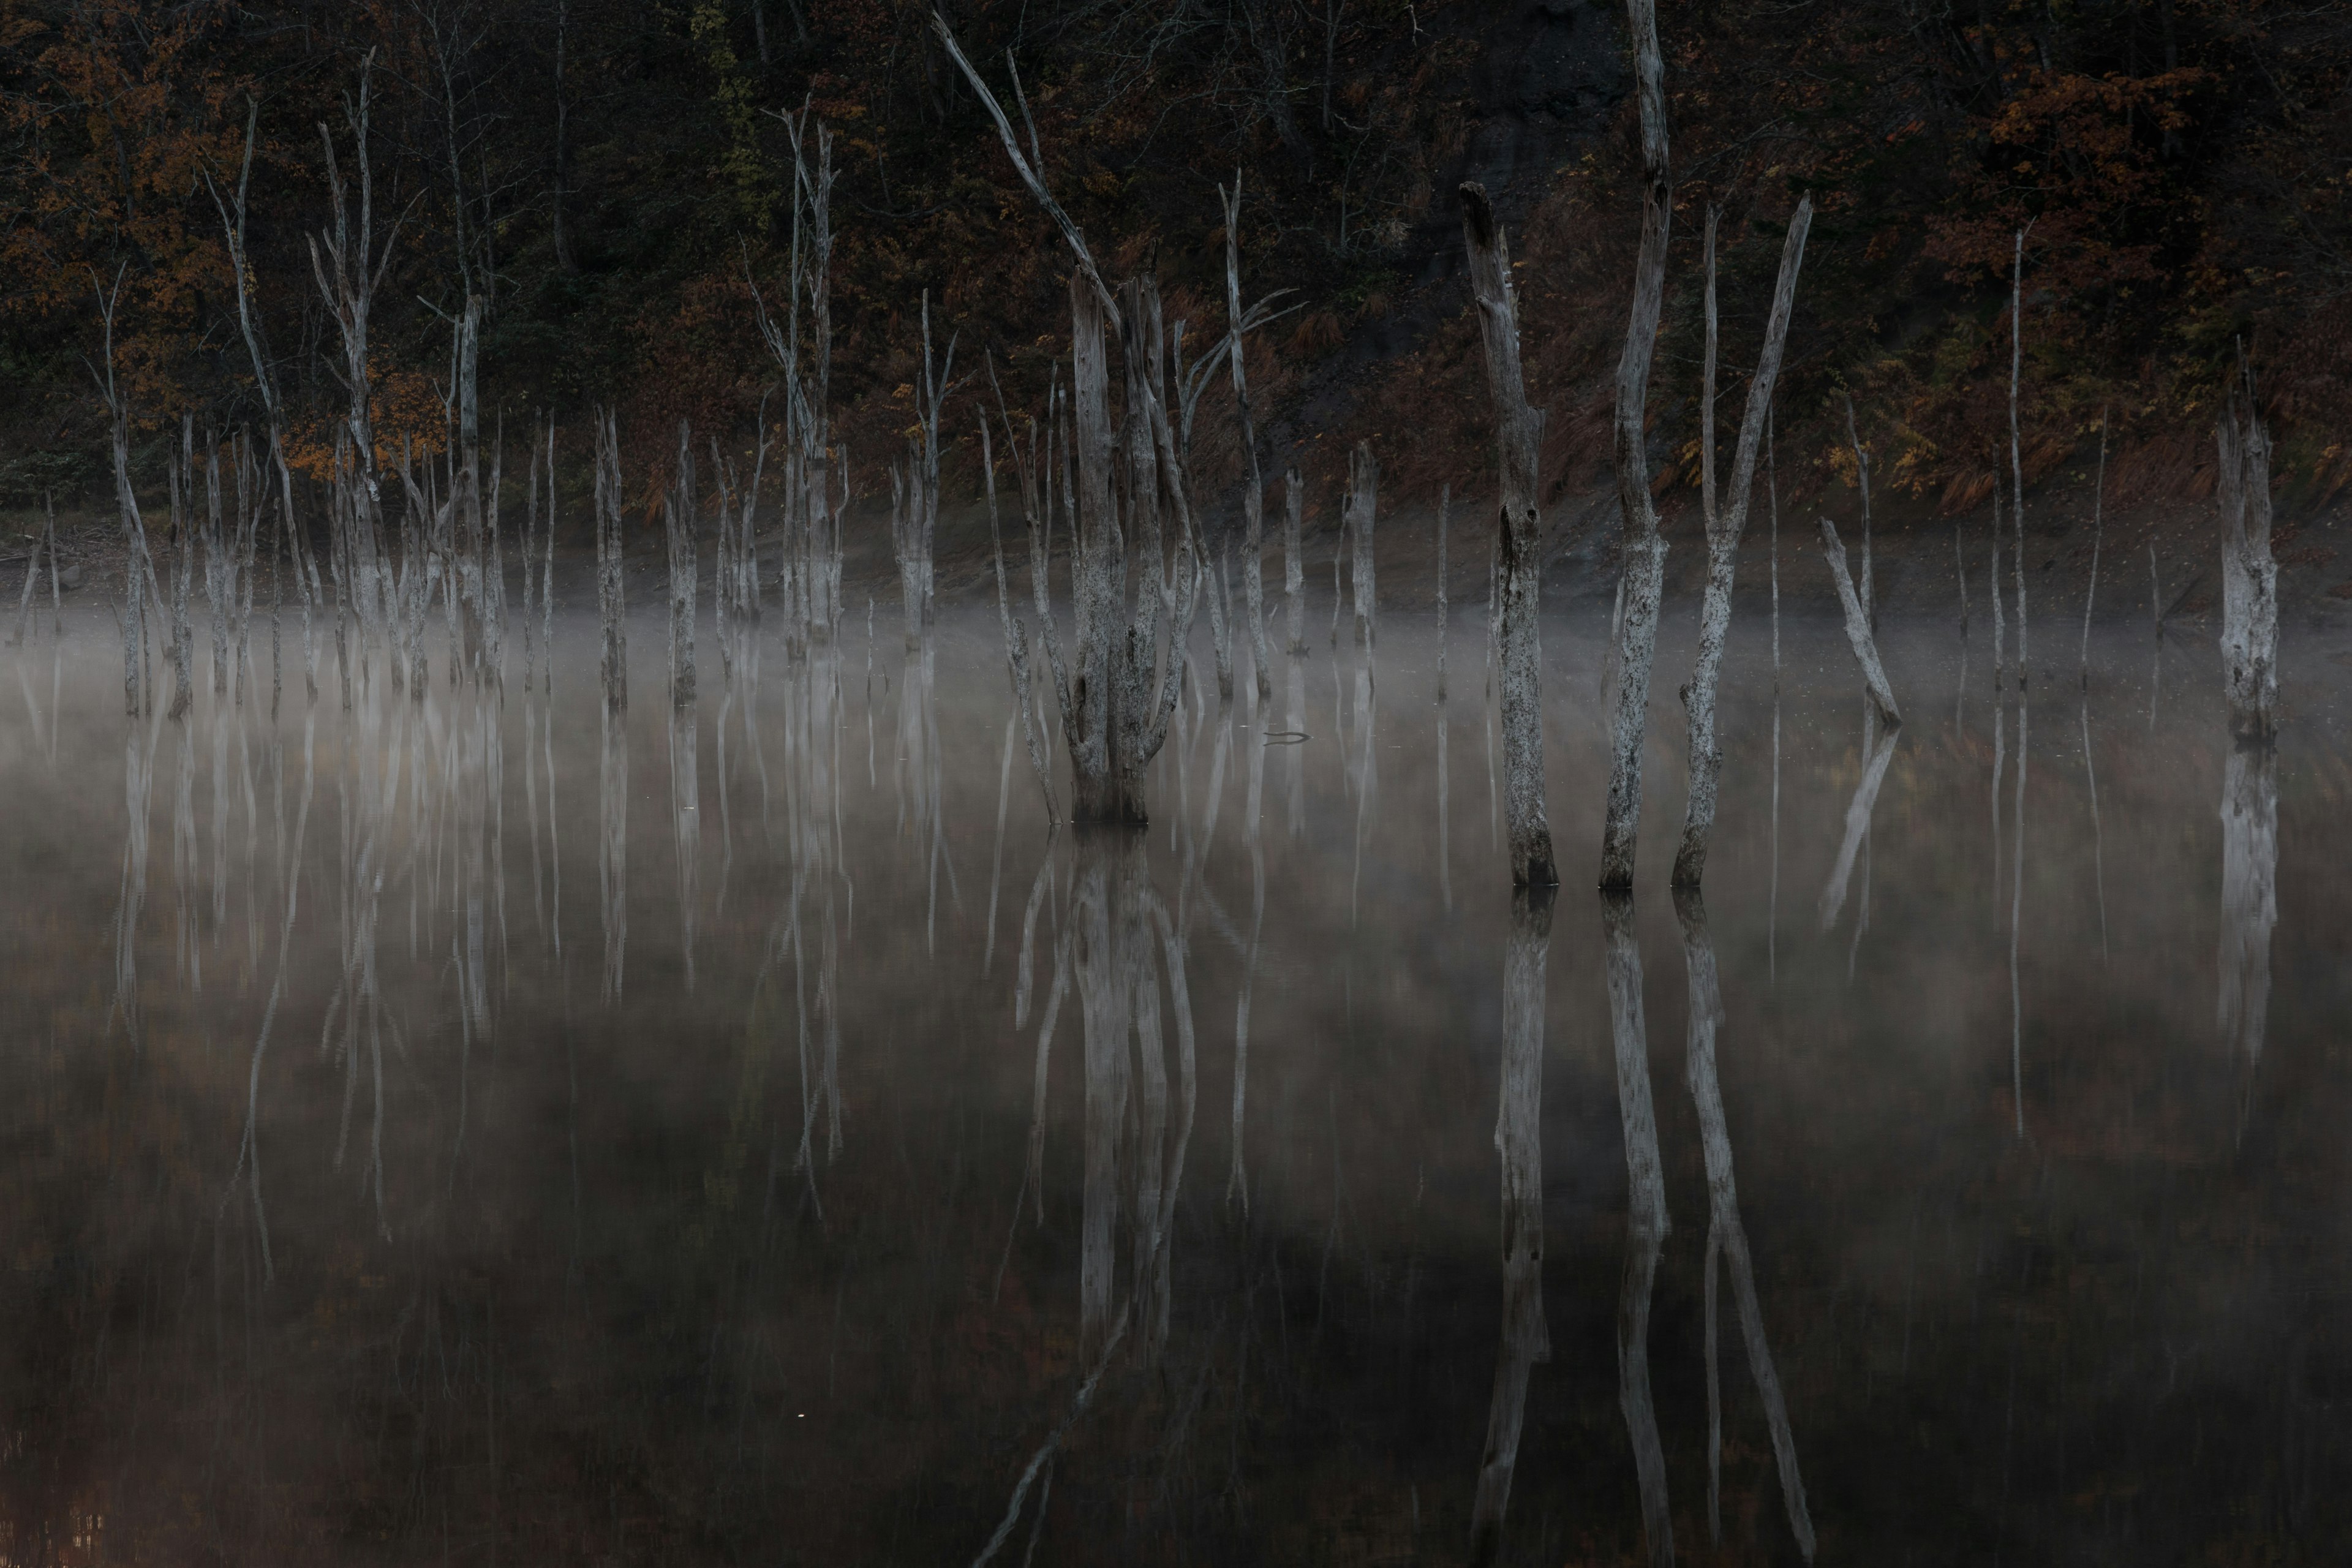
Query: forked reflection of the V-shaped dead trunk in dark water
point(1728, 1233)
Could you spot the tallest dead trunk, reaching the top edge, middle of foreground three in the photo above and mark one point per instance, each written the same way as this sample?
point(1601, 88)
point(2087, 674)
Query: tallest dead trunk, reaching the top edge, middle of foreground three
point(1643, 549)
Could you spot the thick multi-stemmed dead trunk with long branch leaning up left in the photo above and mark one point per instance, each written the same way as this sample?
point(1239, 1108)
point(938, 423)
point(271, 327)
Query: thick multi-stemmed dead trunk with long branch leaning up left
point(1128, 678)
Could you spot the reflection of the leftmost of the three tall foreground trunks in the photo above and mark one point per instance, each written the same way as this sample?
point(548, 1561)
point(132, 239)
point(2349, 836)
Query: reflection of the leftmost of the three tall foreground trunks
point(1518, 1139)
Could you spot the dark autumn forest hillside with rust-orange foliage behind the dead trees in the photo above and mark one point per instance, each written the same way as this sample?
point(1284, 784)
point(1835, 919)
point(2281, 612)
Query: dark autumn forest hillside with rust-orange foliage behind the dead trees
point(606, 170)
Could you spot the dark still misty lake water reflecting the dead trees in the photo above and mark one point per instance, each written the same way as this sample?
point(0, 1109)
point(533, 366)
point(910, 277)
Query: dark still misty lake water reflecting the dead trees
point(643, 1186)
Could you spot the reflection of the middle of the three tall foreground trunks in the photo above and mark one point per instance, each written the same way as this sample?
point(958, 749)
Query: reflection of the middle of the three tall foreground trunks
point(1645, 1219)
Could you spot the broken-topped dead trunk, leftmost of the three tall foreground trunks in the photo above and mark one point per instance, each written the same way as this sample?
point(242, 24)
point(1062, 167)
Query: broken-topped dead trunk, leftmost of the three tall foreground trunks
point(1518, 431)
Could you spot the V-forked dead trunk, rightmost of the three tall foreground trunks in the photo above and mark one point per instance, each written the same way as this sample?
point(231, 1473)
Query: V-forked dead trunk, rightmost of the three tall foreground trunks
point(1725, 528)
